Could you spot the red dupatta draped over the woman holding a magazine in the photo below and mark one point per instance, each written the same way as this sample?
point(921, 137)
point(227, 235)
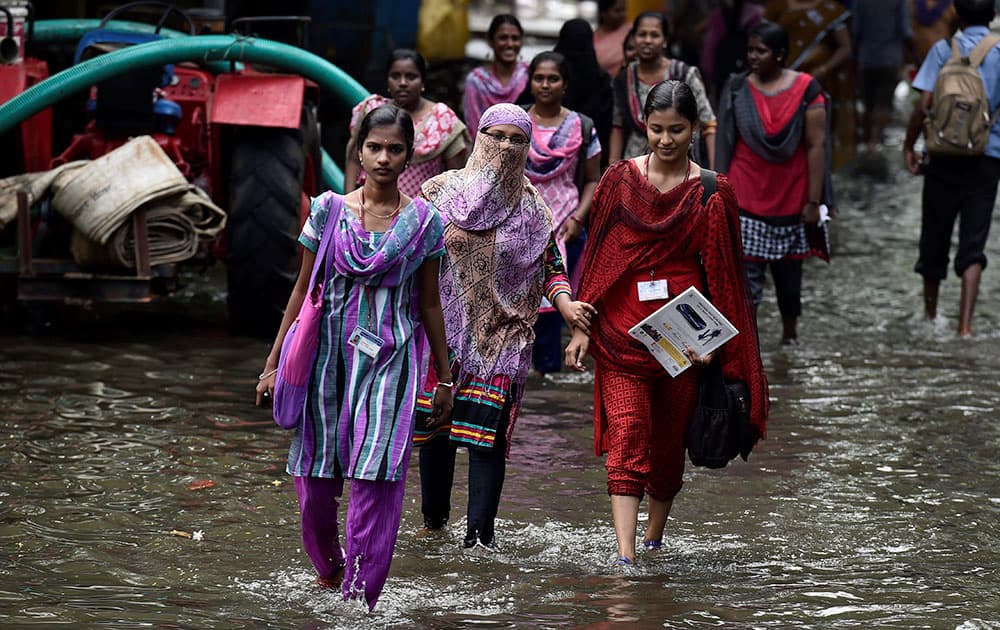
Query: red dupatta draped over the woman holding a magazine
point(634, 224)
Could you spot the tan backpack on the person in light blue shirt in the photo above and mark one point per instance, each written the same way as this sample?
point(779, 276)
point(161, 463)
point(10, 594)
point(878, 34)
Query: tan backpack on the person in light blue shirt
point(959, 119)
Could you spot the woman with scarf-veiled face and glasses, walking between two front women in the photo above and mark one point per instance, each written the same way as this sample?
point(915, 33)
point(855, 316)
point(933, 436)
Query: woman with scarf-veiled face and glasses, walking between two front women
point(502, 259)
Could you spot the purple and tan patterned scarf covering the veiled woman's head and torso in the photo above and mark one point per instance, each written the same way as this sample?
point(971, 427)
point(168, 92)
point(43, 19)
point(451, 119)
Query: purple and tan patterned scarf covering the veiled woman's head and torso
point(498, 228)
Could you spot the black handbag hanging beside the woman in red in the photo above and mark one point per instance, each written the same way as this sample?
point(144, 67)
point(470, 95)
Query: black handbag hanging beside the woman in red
point(720, 429)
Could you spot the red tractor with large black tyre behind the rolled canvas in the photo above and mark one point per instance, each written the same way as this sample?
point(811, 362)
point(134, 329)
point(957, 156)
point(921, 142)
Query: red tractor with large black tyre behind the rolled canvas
point(246, 136)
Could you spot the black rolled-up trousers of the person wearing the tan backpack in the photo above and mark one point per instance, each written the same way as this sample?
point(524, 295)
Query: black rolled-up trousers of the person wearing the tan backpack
point(963, 188)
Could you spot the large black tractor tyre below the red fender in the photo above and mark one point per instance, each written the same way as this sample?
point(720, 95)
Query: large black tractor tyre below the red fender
point(265, 193)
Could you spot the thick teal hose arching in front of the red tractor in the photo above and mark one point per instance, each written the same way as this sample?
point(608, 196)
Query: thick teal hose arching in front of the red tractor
point(201, 48)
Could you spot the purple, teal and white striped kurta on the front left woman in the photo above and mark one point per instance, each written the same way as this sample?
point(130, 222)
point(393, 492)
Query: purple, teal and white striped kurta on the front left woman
point(361, 416)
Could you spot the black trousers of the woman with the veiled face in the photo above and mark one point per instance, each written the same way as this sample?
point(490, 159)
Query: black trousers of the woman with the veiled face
point(487, 470)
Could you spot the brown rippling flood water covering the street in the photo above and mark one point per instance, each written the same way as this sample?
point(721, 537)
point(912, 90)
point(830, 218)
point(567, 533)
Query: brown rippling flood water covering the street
point(874, 502)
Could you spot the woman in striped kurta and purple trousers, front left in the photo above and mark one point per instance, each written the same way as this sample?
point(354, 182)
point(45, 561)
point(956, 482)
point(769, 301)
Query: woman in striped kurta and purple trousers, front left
point(381, 307)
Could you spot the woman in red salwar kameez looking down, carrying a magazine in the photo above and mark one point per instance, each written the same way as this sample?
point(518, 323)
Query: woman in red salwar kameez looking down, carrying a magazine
point(653, 232)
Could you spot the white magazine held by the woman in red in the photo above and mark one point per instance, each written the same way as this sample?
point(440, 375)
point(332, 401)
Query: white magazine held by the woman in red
point(687, 321)
